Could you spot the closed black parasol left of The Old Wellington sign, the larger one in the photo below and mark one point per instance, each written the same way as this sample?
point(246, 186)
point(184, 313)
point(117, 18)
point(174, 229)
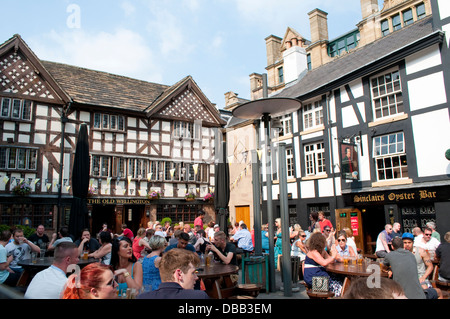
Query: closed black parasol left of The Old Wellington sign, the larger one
point(80, 184)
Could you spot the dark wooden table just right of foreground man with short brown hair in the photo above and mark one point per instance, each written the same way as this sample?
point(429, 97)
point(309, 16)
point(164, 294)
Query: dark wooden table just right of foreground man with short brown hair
point(217, 279)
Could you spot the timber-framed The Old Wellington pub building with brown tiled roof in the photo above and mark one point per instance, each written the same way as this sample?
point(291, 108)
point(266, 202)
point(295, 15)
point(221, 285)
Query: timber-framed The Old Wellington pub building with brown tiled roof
point(143, 137)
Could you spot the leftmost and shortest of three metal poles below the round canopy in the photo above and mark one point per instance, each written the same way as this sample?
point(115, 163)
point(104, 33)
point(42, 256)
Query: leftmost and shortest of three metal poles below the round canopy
point(256, 203)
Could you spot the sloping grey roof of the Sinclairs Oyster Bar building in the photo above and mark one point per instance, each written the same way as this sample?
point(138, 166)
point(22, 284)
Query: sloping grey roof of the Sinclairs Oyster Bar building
point(365, 60)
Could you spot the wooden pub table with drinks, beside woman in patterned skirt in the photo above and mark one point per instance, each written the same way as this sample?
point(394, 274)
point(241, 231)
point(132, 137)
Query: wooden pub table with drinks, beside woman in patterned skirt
point(353, 270)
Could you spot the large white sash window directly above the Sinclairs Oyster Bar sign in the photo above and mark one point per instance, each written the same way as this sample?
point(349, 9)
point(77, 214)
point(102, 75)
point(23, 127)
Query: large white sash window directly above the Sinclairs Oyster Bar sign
point(389, 154)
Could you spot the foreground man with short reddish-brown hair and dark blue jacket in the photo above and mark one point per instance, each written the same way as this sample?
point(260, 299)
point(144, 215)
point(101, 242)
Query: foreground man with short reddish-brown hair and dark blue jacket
point(178, 277)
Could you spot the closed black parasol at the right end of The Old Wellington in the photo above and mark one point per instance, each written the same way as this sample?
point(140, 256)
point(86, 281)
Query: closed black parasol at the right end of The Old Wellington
point(222, 190)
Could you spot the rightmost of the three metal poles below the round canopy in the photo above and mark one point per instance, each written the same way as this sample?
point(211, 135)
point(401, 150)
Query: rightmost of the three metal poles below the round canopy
point(286, 245)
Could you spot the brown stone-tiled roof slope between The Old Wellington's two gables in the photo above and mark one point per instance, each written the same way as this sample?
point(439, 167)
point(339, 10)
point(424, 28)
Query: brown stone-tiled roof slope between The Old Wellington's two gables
point(92, 87)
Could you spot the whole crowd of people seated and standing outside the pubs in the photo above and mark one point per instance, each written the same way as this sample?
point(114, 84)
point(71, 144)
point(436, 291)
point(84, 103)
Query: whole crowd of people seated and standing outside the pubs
point(160, 260)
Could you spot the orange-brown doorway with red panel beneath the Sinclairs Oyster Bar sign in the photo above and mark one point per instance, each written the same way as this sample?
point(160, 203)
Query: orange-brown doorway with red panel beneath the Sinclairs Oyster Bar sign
point(351, 218)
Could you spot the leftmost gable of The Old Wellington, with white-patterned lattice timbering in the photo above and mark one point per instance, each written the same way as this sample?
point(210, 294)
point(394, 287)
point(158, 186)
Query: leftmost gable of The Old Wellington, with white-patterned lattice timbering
point(24, 74)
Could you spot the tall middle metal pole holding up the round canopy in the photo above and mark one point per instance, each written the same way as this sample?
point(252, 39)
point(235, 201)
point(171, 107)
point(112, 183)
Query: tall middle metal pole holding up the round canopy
point(270, 219)
